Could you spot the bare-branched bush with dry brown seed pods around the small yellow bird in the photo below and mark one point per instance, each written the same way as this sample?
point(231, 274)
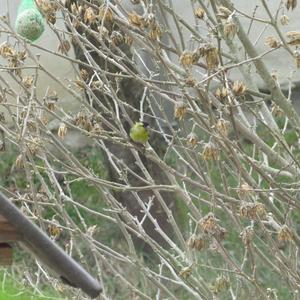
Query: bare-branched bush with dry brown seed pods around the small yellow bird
point(207, 208)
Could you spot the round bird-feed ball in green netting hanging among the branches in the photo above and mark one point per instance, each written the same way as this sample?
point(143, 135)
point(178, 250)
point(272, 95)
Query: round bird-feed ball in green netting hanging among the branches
point(30, 22)
